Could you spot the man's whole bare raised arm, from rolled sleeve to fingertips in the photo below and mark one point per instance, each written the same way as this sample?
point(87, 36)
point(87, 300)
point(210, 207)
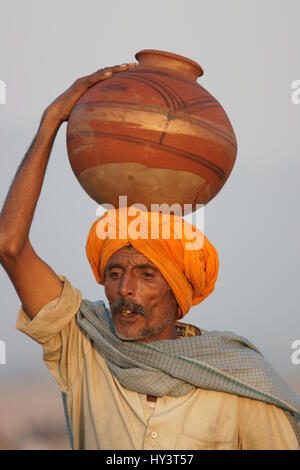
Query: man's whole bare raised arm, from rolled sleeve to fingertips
point(34, 280)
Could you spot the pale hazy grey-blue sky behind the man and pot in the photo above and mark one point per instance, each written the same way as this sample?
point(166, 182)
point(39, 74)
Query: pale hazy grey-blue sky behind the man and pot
point(249, 51)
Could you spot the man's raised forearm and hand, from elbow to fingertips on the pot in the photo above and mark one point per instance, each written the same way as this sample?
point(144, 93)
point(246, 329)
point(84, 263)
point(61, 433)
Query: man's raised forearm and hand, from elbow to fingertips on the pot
point(21, 200)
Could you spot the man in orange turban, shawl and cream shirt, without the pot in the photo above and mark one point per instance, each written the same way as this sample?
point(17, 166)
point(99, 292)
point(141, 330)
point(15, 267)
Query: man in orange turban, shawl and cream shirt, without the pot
point(136, 377)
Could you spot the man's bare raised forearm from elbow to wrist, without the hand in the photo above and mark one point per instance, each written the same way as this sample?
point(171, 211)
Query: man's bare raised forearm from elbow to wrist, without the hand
point(18, 210)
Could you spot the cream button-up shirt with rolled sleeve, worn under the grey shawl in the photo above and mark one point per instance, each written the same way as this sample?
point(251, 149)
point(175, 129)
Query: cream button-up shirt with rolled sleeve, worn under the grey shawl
point(105, 415)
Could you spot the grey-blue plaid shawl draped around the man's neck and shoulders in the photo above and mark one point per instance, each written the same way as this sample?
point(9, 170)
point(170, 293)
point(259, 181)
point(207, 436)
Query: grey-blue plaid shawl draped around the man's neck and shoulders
point(214, 360)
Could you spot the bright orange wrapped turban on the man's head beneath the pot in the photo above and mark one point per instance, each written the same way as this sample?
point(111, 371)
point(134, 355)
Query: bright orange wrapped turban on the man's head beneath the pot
point(181, 252)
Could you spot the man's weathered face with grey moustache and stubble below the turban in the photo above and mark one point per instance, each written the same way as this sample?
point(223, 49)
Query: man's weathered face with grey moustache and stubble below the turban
point(142, 305)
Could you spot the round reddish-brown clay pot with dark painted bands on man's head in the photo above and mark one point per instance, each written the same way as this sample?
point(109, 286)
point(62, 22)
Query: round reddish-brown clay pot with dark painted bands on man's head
point(153, 134)
